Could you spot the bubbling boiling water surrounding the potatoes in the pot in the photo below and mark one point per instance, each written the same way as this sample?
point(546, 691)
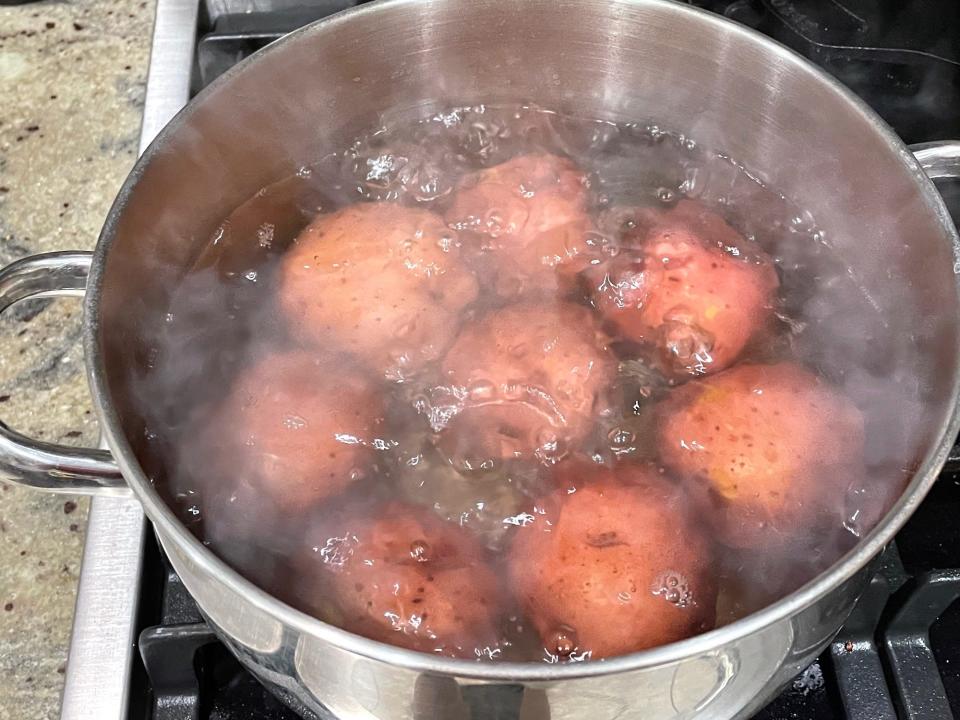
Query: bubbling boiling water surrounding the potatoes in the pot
point(224, 315)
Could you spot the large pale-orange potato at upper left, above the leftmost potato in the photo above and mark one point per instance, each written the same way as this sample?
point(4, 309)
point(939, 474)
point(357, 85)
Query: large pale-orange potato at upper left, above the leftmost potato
point(383, 281)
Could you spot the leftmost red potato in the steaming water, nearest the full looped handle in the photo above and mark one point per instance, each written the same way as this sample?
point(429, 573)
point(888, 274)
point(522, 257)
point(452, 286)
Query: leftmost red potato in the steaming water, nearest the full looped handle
point(294, 431)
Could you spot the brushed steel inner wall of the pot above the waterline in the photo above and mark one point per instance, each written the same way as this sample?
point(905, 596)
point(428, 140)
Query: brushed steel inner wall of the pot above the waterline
point(615, 60)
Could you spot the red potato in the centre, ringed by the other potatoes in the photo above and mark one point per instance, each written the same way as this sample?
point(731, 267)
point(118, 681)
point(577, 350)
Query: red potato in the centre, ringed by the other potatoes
point(527, 379)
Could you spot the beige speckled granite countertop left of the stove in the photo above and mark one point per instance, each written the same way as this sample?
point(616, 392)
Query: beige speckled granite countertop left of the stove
point(72, 82)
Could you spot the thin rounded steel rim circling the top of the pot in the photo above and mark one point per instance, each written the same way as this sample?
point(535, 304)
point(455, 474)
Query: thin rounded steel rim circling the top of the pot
point(171, 529)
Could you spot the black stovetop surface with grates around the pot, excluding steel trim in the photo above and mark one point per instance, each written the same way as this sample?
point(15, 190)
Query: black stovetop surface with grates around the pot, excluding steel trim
point(898, 657)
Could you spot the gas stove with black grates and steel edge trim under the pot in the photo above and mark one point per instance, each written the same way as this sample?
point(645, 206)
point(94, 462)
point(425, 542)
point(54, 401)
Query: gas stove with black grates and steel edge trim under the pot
point(140, 649)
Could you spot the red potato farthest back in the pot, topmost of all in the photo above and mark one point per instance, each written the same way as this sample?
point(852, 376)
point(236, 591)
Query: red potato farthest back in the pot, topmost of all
point(524, 223)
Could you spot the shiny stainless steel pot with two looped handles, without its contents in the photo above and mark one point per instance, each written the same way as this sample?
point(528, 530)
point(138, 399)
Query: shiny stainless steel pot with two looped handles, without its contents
point(620, 59)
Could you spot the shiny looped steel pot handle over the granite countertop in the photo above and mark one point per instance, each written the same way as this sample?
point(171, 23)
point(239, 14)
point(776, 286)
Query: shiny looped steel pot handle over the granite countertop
point(42, 465)
